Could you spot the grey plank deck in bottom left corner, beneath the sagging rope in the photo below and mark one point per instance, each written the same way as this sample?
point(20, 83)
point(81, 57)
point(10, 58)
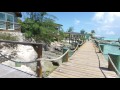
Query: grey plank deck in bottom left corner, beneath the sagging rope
point(8, 72)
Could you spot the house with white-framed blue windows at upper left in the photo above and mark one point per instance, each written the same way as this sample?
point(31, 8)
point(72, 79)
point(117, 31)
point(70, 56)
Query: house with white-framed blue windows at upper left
point(8, 21)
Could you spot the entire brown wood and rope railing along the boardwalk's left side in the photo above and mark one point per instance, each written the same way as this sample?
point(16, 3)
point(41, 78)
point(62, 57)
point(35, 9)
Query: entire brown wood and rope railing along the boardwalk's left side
point(38, 48)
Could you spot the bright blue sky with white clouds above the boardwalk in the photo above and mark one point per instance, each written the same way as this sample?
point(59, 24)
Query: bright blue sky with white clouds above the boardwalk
point(105, 24)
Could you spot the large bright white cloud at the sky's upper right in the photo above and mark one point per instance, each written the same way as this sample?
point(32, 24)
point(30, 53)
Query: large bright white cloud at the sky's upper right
point(108, 23)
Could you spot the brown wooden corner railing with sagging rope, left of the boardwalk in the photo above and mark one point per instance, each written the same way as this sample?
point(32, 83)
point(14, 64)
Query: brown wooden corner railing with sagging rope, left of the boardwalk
point(37, 47)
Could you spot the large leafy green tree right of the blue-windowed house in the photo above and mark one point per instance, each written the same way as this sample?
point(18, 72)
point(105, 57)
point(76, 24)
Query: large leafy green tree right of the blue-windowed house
point(41, 28)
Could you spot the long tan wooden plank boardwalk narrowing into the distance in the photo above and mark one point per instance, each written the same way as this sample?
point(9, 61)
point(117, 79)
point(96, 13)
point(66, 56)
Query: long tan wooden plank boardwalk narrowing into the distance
point(86, 62)
